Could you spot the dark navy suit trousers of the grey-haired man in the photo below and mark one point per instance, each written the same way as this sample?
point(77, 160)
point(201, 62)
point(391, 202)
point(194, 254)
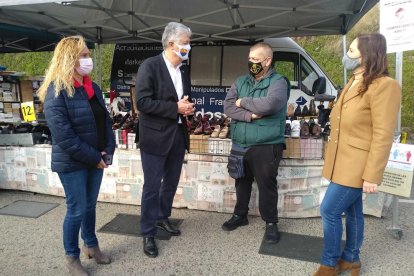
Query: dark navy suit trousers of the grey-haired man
point(161, 177)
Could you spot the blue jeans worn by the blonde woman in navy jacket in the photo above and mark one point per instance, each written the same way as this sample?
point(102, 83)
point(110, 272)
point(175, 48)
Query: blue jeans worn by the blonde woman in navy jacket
point(81, 190)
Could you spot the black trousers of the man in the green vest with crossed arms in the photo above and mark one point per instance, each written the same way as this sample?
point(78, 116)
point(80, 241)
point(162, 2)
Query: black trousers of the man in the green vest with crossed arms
point(261, 163)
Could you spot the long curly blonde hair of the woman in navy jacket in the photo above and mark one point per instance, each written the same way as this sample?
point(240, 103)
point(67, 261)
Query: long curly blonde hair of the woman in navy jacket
point(61, 67)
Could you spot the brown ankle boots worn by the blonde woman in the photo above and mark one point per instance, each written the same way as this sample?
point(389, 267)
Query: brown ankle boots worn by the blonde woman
point(74, 265)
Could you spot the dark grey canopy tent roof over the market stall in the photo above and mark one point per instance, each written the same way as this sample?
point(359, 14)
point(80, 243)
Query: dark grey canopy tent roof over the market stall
point(110, 21)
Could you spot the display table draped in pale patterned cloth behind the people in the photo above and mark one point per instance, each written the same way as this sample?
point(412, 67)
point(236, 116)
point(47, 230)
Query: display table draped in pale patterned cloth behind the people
point(204, 183)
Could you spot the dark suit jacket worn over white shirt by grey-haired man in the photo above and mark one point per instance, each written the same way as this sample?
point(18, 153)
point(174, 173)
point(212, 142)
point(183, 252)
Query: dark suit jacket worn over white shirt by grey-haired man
point(157, 105)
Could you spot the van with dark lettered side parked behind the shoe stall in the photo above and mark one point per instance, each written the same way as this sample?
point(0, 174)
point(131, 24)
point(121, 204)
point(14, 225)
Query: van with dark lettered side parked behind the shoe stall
point(215, 65)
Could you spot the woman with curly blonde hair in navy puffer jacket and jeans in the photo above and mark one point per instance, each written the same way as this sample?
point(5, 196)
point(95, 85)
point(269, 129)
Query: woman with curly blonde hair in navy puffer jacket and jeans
point(81, 137)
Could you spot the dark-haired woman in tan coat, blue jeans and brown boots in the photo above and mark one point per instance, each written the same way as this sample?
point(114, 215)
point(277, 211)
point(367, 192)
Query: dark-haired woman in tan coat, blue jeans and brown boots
point(362, 127)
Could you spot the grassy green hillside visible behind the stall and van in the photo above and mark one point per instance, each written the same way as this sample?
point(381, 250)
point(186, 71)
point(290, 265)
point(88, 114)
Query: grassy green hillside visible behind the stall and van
point(326, 50)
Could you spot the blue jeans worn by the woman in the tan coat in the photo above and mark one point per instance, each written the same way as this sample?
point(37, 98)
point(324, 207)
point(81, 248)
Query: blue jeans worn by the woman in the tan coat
point(339, 199)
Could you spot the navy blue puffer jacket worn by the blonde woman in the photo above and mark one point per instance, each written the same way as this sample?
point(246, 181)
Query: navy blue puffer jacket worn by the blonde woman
point(74, 136)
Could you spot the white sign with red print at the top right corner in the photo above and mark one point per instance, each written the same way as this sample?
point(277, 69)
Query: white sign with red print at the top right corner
point(397, 24)
